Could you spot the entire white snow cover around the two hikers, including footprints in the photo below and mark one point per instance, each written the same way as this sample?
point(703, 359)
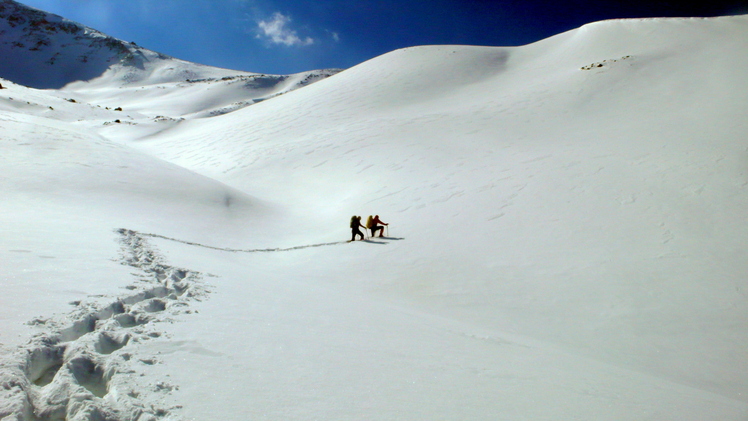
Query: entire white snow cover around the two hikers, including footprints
point(567, 237)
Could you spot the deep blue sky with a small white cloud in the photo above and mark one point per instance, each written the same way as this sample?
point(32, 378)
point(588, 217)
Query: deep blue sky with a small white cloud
point(285, 36)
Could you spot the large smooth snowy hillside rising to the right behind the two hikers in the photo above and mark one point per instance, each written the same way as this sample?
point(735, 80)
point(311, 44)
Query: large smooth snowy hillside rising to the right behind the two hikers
point(587, 190)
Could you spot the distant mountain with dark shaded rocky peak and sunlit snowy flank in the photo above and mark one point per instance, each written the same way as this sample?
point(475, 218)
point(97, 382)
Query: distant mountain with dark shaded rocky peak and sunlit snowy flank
point(49, 51)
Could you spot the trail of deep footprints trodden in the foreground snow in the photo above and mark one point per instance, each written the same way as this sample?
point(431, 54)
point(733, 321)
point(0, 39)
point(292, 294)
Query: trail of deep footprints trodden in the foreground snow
point(85, 365)
